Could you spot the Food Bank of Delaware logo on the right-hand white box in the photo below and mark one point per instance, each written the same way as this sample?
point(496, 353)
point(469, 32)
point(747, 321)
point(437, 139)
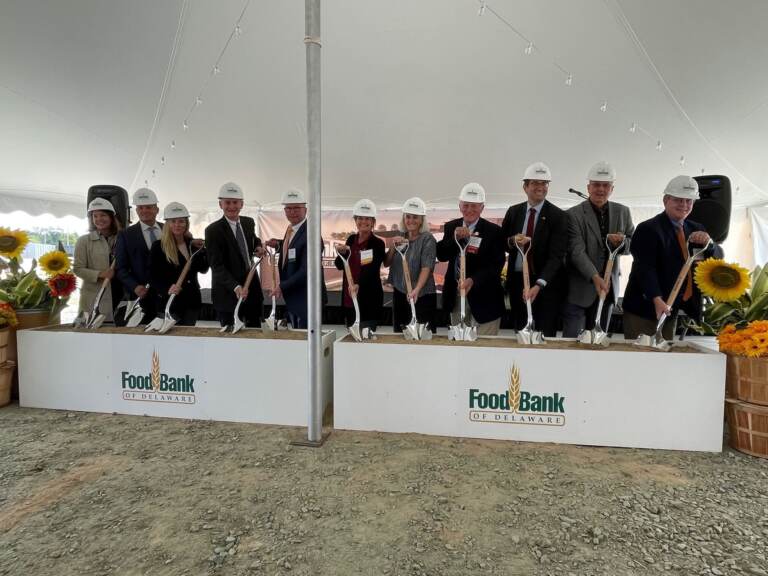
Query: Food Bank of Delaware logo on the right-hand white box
point(516, 406)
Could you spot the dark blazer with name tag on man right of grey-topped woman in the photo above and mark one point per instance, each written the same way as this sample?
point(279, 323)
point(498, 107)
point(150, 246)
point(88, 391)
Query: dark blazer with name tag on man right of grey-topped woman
point(486, 298)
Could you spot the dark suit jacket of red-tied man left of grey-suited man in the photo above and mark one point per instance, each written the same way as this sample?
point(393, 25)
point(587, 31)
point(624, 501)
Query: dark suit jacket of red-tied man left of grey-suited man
point(550, 242)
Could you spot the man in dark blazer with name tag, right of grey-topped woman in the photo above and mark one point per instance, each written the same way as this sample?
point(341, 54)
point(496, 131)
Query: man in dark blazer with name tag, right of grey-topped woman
point(484, 261)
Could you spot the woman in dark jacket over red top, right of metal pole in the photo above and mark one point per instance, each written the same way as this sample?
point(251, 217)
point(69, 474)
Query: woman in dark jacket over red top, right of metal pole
point(366, 254)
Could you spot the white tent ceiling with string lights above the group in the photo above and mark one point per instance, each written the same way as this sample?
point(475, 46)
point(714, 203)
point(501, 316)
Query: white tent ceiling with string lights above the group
point(419, 97)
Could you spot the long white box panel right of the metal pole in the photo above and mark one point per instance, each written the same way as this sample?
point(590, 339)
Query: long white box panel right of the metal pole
point(668, 400)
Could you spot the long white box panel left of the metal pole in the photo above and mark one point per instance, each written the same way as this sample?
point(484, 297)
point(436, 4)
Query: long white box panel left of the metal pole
point(209, 377)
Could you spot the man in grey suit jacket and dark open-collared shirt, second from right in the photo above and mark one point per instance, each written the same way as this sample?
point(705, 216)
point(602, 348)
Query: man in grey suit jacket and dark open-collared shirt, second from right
point(589, 224)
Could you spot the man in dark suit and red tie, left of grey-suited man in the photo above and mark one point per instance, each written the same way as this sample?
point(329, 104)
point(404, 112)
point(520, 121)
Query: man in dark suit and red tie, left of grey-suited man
point(547, 226)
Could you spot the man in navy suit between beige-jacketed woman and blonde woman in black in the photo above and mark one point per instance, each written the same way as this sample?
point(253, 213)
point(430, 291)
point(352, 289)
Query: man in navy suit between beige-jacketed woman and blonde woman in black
point(132, 253)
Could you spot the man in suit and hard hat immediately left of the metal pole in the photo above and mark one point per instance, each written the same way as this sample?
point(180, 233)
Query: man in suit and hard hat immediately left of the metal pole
point(293, 259)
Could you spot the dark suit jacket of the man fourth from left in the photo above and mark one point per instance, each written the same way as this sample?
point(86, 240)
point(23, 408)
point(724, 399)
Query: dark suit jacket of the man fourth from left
point(228, 267)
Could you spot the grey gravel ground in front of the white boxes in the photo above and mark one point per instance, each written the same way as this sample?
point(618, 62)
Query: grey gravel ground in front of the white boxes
point(99, 494)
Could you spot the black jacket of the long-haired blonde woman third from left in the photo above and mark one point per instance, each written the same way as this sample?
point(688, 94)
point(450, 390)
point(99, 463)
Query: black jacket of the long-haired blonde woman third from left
point(163, 274)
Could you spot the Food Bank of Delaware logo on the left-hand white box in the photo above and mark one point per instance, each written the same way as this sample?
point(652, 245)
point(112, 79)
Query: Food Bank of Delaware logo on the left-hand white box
point(157, 386)
